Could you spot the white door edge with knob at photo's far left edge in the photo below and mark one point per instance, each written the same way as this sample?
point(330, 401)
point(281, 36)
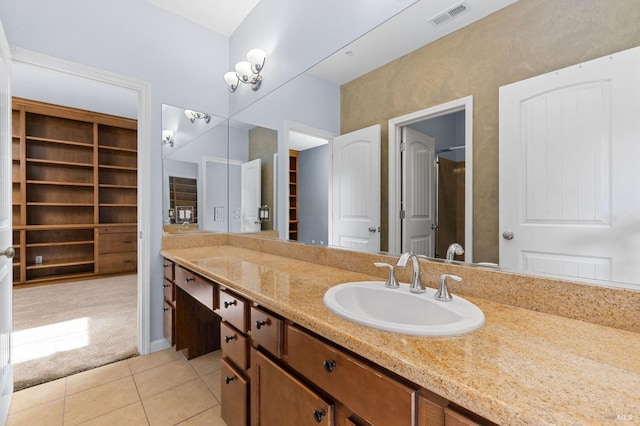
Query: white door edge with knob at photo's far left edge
point(6, 264)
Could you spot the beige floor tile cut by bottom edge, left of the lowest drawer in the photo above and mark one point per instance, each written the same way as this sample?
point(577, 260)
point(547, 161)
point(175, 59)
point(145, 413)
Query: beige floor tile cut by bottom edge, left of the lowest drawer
point(179, 403)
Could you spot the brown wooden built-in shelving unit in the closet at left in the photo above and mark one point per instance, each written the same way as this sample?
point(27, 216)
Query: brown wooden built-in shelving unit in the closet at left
point(74, 184)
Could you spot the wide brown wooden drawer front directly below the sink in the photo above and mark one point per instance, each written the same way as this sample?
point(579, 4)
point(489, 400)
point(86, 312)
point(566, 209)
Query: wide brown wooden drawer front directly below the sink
point(370, 393)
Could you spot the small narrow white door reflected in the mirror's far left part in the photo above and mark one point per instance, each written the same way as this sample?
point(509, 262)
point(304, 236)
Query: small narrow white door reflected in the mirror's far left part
point(251, 192)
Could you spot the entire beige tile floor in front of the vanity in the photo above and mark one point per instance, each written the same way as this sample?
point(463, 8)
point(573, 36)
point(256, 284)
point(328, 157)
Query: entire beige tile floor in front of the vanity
point(162, 388)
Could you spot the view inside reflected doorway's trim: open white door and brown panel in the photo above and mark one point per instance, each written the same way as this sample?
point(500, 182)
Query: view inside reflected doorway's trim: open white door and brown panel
point(433, 170)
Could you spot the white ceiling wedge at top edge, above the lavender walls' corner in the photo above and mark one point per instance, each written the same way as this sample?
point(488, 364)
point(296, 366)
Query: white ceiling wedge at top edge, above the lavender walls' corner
point(221, 16)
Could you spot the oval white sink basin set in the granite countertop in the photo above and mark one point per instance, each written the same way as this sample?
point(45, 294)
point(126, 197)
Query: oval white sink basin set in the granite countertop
point(372, 304)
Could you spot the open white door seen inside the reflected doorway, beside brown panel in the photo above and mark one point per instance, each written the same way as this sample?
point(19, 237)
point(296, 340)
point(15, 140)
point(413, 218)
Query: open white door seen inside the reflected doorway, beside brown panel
point(419, 177)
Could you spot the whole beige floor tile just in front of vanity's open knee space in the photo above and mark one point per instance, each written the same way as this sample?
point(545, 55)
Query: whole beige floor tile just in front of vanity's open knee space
point(159, 379)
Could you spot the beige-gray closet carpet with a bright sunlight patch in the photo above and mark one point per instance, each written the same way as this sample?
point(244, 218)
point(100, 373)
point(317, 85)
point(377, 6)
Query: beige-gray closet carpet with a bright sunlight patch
point(62, 329)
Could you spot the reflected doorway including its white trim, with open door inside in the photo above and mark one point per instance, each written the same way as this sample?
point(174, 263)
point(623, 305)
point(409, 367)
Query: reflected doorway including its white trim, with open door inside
point(430, 180)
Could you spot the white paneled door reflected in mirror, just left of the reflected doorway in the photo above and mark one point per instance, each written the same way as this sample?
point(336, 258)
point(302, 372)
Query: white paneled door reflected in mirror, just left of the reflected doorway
point(355, 190)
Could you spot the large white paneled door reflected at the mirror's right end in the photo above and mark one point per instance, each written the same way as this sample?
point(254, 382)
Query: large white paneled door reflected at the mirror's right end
point(569, 187)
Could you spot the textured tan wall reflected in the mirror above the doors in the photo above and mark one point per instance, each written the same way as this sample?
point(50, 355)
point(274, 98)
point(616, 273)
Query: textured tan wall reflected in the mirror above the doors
point(528, 38)
